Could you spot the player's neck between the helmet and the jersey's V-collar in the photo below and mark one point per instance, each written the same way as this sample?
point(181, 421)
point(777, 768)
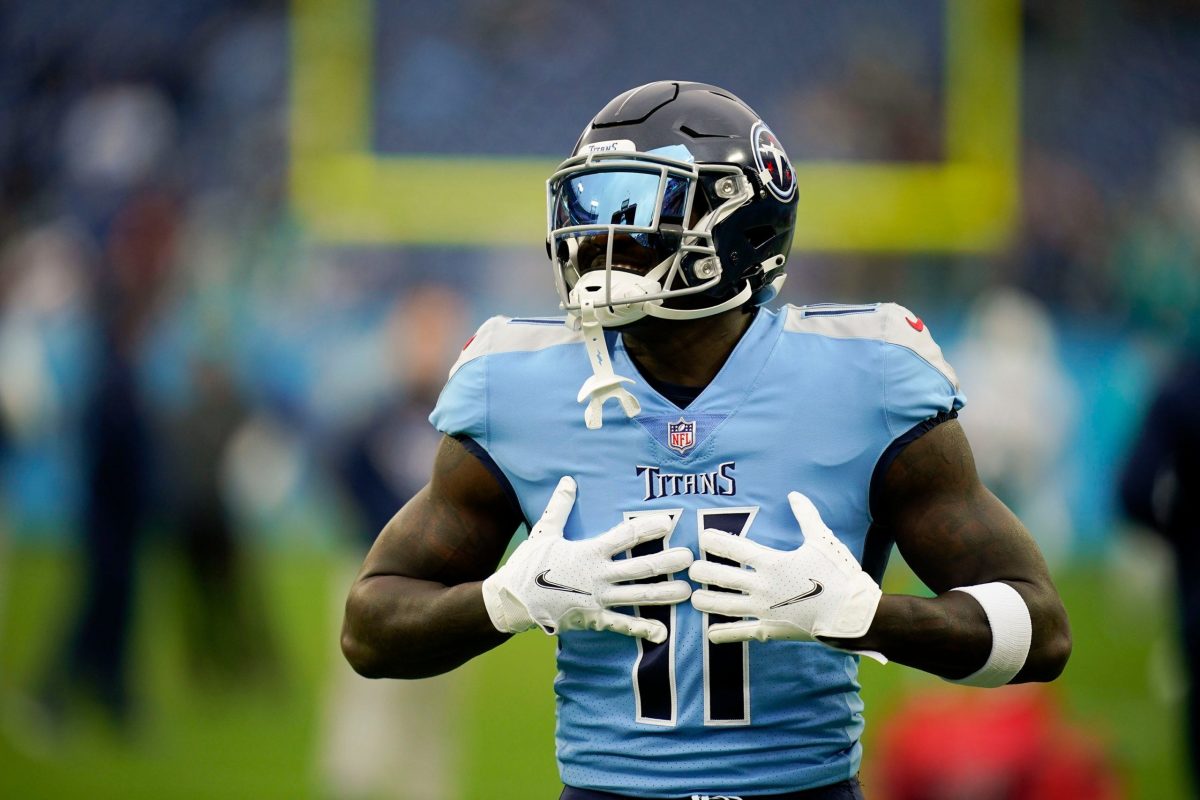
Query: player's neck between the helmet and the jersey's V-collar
point(687, 353)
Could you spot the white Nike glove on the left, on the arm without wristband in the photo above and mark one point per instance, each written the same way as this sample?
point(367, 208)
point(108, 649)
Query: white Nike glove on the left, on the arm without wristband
point(571, 586)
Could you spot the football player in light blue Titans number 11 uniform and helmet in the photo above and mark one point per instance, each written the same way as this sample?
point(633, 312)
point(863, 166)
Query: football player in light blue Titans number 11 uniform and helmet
point(709, 546)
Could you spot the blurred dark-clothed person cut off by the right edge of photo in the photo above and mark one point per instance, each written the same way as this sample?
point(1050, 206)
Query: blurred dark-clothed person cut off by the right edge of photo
point(1161, 490)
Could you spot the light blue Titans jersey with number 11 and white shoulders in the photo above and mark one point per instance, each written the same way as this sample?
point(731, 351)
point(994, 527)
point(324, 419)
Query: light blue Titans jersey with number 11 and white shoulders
point(809, 401)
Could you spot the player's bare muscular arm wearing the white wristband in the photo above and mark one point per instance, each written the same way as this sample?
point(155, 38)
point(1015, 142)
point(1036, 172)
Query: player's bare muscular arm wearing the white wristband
point(955, 533)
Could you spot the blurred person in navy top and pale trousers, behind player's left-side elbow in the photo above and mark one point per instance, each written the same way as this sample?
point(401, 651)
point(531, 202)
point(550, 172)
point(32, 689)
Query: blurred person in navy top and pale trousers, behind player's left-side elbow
point(395, 739)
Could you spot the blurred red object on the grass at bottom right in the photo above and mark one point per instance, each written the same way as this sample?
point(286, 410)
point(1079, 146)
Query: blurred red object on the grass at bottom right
point(1012, 744)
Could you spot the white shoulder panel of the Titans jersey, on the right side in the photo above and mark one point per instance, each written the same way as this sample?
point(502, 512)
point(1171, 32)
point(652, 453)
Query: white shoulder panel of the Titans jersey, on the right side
point(886, 322)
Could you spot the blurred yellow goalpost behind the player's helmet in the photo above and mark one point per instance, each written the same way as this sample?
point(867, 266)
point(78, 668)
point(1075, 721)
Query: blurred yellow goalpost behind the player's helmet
point(343, 193)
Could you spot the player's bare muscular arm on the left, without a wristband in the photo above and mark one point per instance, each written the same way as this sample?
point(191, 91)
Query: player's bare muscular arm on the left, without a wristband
point(417, 609)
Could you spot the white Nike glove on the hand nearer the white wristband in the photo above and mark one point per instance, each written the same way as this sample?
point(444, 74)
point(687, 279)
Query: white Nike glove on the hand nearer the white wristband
point(817, 591)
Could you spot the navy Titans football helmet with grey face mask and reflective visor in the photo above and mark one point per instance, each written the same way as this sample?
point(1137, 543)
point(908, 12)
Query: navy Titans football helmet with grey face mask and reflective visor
point(677, 202)
